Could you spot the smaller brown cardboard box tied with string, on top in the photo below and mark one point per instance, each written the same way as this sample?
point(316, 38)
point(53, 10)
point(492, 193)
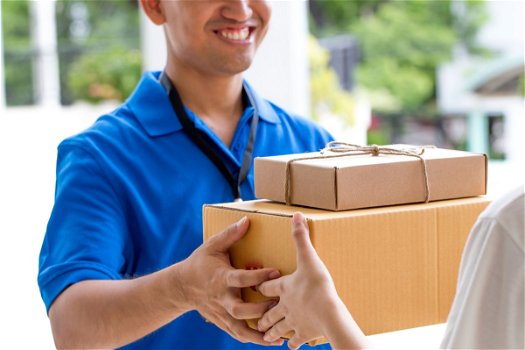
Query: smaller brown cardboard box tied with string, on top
point(363, 181)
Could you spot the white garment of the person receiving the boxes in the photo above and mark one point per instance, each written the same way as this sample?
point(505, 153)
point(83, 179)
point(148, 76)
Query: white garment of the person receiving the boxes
point(488, 310)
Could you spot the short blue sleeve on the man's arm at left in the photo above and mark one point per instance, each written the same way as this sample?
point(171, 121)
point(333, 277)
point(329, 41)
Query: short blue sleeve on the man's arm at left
point(85, 234)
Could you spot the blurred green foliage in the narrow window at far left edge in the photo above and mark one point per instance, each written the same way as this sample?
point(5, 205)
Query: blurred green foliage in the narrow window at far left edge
point(17, 53)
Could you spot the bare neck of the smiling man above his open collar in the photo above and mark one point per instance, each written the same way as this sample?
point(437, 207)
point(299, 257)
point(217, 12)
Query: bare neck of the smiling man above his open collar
point(217, 100)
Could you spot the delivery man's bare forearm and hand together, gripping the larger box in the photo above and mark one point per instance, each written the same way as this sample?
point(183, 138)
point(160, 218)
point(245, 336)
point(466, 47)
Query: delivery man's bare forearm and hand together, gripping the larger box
point(109, 314)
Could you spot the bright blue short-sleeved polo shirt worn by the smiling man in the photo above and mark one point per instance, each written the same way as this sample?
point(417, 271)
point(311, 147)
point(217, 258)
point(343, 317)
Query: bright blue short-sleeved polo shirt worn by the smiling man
point(129, 197)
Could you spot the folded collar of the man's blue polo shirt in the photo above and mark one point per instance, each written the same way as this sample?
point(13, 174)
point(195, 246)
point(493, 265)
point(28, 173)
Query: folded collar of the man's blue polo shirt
point(151, 105)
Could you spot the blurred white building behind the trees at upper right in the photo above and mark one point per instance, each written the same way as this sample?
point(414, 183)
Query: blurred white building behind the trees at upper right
point(484, 98)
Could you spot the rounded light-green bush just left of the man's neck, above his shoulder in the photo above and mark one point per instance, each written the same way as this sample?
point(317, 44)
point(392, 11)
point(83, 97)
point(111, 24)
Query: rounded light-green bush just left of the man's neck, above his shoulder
point(105, 75)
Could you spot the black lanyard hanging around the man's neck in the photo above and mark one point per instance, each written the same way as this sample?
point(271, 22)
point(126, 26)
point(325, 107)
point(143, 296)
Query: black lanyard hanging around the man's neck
point(202, 140)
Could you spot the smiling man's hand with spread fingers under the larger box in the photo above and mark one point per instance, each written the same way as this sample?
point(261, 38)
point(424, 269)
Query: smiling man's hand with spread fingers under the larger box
point(213, 287)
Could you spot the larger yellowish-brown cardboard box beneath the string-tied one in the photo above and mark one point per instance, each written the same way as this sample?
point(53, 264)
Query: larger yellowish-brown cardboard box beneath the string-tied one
point(394, 267)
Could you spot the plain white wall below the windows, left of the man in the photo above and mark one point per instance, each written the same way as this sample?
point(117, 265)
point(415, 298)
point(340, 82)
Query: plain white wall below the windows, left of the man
point(28, 140)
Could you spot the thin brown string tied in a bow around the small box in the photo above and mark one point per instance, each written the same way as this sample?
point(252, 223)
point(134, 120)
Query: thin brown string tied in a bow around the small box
point(344, 149)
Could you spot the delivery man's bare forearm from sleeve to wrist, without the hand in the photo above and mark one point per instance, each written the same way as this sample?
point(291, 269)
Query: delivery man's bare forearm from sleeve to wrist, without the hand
point(110, 314)
